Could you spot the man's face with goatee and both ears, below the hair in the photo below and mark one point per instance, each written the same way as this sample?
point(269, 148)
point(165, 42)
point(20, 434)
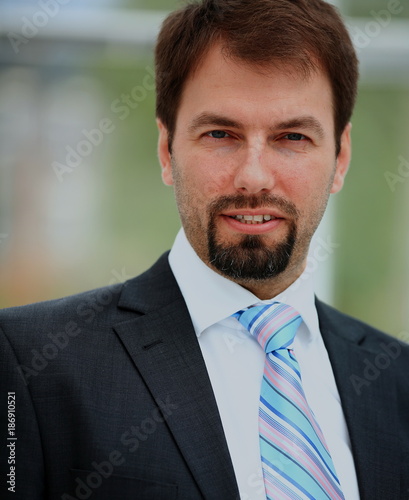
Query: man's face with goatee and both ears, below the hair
point(253, 163)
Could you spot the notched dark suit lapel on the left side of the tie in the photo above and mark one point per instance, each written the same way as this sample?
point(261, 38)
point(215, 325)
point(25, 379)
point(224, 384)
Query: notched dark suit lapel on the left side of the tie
point(165, 350)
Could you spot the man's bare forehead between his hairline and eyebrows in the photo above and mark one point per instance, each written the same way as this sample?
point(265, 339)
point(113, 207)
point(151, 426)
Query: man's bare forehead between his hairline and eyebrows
point(231, 86)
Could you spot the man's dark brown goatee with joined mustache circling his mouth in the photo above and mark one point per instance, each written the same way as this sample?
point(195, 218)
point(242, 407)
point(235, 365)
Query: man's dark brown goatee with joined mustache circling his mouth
point(251, 259)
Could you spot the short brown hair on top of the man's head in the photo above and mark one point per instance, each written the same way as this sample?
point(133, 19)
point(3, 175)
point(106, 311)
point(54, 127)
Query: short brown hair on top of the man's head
point(305, 35)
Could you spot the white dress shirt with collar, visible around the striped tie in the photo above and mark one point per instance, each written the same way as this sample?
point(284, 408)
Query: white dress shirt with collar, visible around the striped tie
point(235, 363)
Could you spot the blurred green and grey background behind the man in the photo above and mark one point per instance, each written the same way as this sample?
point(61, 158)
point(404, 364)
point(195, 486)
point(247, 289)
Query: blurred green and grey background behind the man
point(110, 217)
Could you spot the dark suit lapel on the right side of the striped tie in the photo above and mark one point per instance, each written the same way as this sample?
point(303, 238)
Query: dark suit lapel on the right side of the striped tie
point(368, 400)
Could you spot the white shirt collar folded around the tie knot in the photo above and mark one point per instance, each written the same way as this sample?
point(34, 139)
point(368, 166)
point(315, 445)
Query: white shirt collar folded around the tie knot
point(211, 298)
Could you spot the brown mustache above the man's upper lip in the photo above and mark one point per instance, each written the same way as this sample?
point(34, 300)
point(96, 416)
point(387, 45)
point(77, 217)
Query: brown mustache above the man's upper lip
point(240, 201)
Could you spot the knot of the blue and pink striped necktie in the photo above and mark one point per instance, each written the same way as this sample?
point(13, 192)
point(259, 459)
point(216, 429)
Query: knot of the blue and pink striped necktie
point(273, 325)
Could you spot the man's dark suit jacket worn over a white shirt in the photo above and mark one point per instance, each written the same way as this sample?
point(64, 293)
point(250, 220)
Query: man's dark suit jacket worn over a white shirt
point(113, 400)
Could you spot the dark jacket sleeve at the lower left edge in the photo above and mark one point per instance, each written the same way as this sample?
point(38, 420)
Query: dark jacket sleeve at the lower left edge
point(21, 455)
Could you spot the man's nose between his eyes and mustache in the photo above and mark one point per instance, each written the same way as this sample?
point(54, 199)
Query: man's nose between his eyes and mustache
point(254, 174)
